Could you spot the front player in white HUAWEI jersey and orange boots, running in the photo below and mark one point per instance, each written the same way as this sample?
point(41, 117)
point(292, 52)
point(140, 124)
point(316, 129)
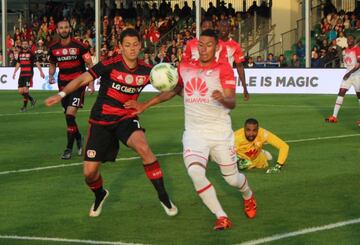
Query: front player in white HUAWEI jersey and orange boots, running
point(208, 87)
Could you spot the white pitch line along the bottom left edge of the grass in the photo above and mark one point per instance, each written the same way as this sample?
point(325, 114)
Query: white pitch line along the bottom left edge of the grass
point(55, 239)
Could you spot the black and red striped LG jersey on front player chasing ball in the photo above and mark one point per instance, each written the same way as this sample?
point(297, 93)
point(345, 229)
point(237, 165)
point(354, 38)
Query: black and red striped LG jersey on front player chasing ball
point(118, 84)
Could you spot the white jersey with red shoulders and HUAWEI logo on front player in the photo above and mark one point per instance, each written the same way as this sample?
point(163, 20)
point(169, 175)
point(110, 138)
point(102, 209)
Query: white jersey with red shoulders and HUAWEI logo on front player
point(202, 112)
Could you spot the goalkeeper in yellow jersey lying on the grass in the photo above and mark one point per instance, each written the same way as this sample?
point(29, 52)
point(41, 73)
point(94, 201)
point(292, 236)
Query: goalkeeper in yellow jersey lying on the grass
point(249, 142)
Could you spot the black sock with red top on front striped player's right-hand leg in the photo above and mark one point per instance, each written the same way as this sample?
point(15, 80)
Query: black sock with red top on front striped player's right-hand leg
point(154, 173)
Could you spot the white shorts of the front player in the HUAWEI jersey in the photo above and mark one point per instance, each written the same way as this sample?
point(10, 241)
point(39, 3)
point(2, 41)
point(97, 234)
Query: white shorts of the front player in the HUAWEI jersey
point(198, 147)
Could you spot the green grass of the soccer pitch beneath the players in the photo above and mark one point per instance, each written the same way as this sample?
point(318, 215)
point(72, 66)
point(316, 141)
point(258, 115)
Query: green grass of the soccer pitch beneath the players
point(318, 186)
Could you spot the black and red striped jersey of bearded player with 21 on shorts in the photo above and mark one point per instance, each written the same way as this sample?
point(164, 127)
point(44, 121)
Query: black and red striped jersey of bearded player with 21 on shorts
point(70, 59)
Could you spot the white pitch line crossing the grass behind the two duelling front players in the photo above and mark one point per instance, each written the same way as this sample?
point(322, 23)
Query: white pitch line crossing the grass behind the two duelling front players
point(160, 155)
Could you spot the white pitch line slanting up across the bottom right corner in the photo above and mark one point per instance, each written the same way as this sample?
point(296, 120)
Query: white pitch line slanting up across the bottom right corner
point(301, 232)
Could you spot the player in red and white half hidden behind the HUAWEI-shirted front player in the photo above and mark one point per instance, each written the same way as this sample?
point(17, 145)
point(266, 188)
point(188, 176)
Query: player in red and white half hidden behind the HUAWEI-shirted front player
point(234, 53)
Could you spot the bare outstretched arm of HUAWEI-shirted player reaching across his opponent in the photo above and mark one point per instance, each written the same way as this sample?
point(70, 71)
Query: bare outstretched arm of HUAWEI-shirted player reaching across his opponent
point(162, 97)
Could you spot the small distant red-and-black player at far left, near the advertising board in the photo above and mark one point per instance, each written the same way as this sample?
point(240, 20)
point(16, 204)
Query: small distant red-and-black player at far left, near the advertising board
point(25, 62)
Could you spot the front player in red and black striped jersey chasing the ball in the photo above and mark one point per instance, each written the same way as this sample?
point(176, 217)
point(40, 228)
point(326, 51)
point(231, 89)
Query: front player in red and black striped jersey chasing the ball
point(122, 79)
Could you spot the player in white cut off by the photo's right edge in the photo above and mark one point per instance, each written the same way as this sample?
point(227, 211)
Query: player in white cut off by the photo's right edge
point(351, 60)
